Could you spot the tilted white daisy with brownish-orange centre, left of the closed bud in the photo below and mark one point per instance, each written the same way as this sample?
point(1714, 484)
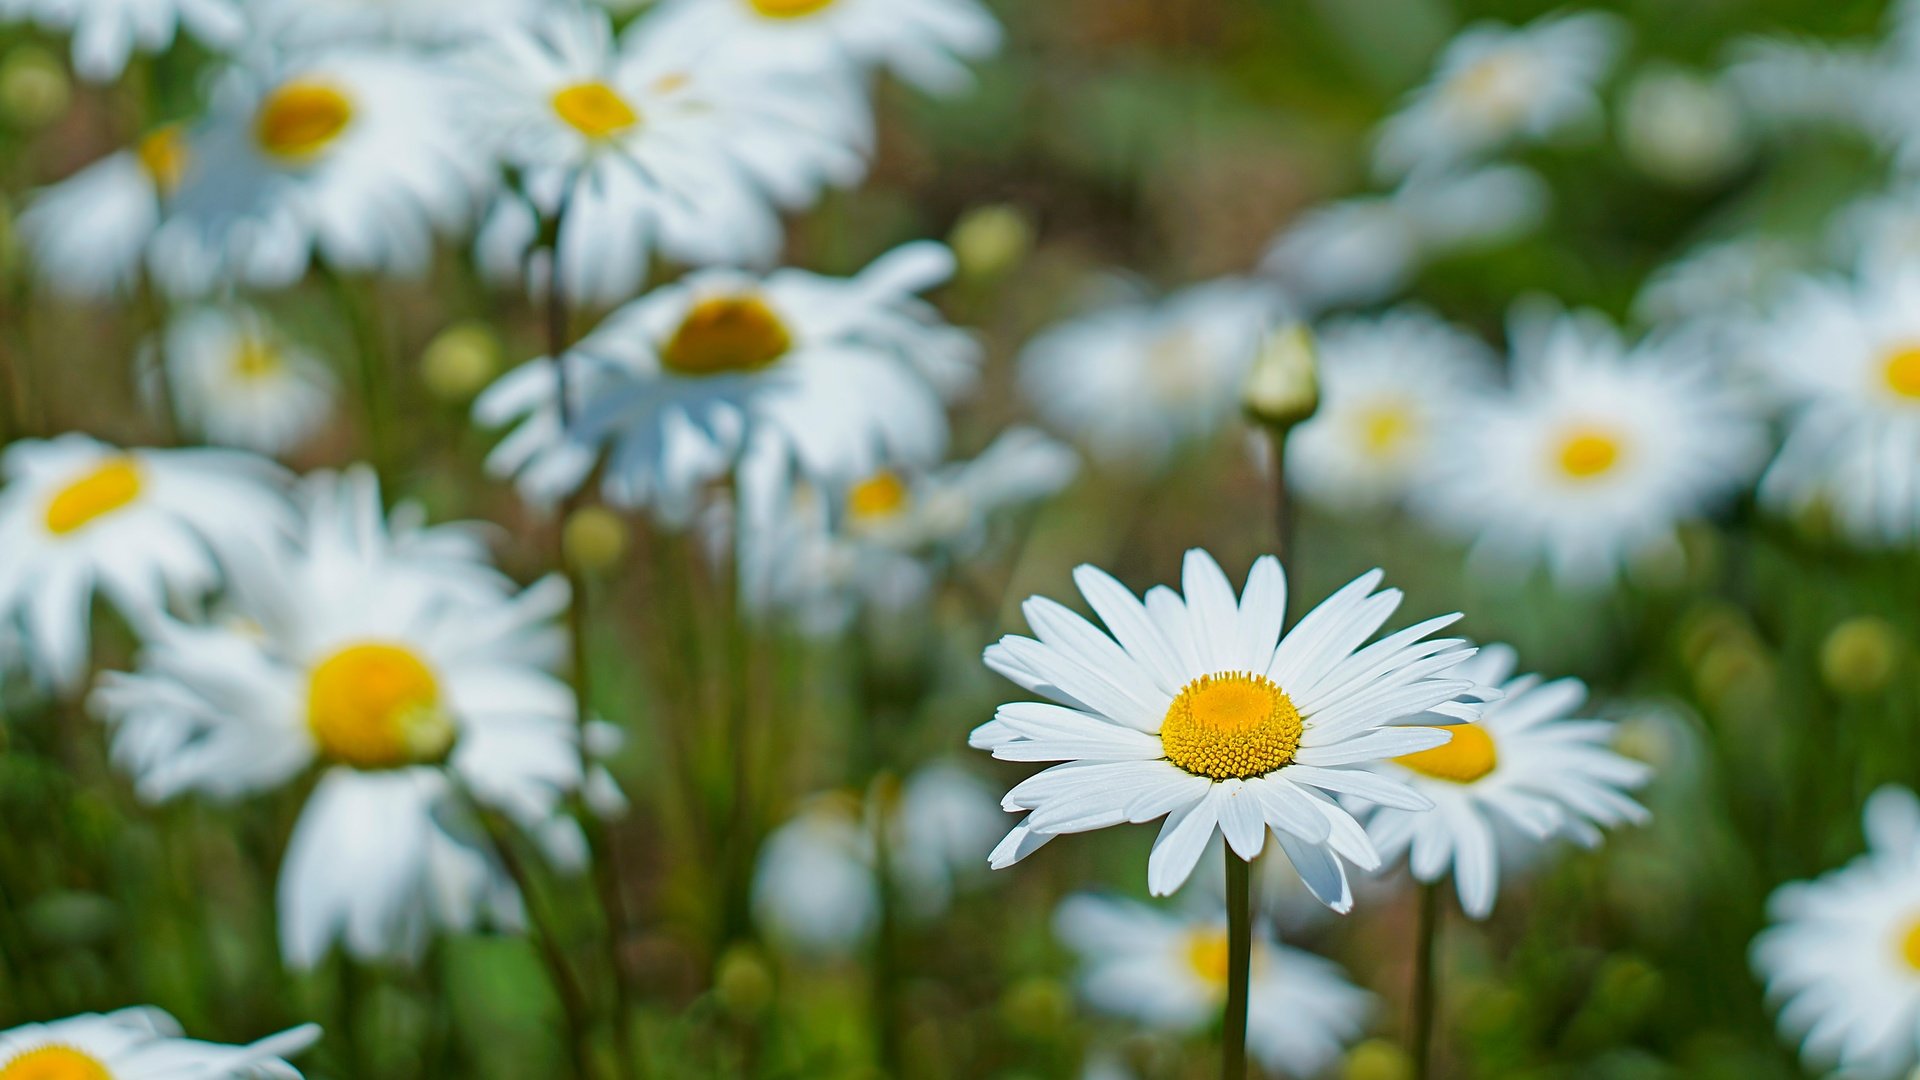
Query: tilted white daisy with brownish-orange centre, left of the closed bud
point(828, 376)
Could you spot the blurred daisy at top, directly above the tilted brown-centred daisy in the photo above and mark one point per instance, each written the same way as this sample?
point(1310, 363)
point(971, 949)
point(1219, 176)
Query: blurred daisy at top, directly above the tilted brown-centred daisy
point(661, 143)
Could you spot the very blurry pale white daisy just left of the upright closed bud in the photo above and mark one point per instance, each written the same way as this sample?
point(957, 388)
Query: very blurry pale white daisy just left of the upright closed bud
point(1140, 381)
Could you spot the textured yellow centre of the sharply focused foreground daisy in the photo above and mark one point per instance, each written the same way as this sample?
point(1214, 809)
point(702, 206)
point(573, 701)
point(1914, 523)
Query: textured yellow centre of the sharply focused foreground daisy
point(1232, 725)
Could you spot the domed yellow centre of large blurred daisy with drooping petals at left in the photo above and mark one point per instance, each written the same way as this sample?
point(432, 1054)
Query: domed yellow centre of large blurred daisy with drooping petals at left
point(377, 706)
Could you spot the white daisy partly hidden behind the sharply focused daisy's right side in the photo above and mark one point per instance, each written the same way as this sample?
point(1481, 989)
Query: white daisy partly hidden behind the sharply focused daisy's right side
point(1522, 773)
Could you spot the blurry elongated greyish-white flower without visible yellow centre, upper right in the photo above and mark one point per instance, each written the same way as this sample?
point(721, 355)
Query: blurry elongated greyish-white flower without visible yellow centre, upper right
point(1368, 249)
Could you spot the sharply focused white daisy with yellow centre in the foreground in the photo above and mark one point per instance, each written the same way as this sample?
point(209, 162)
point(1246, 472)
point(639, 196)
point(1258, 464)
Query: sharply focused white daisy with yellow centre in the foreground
point(1199, 710)
